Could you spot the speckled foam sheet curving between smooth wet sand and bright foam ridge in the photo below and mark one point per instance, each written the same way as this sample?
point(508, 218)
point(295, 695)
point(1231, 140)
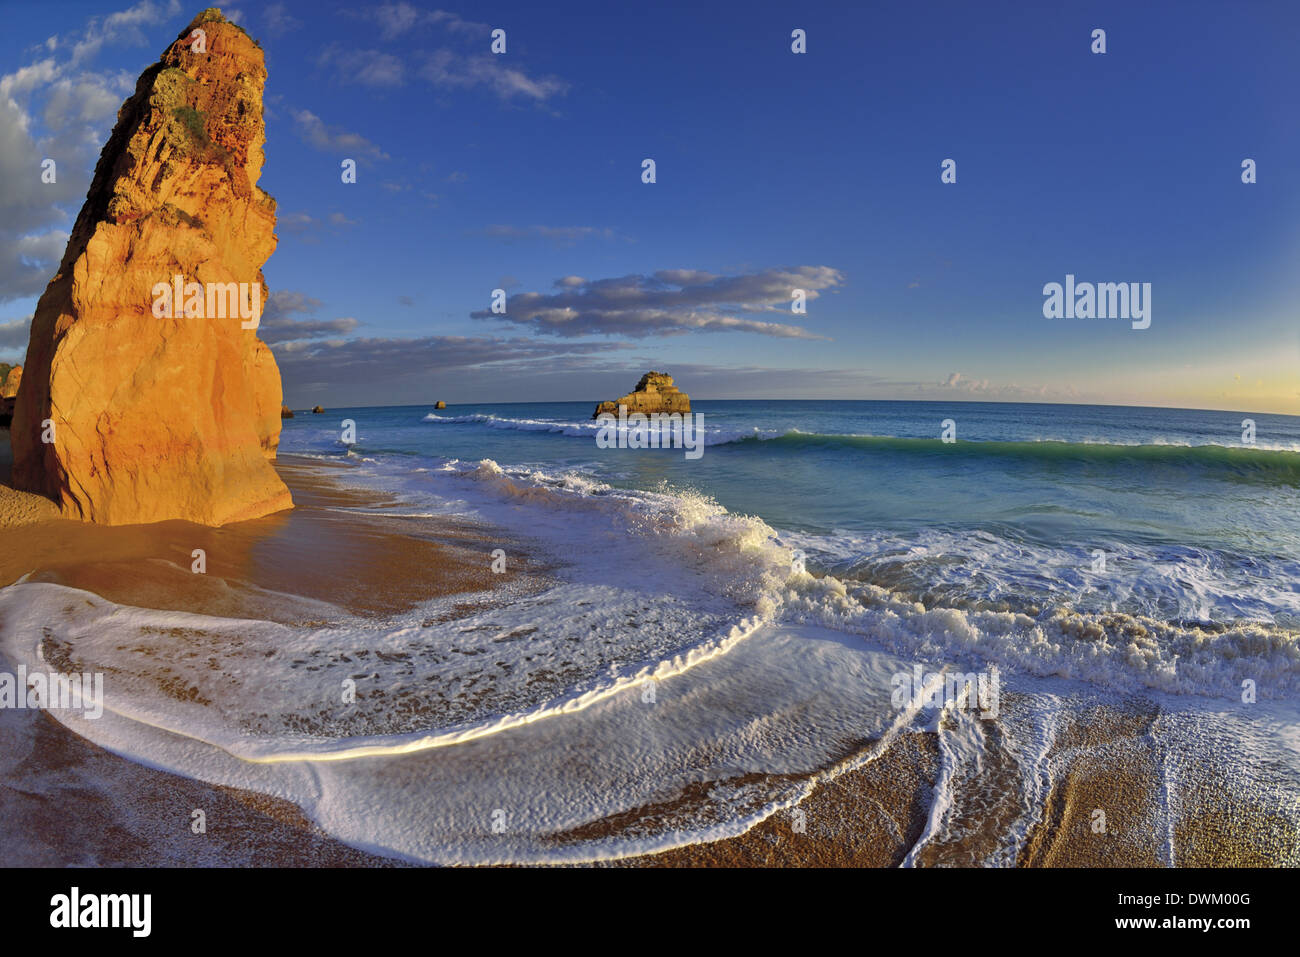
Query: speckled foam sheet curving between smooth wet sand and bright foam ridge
point(701, 583)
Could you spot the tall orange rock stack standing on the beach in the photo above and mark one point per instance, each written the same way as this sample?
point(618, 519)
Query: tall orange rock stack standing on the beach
point(157, 418)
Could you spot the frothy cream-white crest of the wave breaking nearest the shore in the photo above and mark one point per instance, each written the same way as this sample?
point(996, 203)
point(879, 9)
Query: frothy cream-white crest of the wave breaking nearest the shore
point(1126, 651)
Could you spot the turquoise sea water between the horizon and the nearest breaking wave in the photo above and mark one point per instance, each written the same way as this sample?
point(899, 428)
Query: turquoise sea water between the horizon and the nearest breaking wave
point(1193, 523)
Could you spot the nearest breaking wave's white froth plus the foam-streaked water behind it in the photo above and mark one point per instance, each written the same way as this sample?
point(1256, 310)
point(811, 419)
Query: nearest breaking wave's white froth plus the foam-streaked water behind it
point(1160, 635)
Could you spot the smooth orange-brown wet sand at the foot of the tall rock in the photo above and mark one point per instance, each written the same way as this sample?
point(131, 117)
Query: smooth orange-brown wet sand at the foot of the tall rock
point(369, 564)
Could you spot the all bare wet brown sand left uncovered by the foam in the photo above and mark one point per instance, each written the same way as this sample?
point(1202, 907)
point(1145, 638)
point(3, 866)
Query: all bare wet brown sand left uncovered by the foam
point(68, 803)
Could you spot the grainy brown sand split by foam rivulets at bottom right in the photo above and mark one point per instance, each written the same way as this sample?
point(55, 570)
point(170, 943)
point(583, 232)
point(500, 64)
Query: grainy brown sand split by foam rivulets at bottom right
point(1107, 760)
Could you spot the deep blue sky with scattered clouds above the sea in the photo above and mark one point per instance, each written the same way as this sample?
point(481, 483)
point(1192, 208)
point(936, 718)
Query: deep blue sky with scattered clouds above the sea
point(523, 172)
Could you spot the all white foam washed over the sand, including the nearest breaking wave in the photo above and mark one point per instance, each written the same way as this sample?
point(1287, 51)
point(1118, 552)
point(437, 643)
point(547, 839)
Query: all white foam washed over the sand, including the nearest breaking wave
point(536, 708)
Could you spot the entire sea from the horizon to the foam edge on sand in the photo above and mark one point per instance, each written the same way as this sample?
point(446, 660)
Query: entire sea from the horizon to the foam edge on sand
point(742, 622)
